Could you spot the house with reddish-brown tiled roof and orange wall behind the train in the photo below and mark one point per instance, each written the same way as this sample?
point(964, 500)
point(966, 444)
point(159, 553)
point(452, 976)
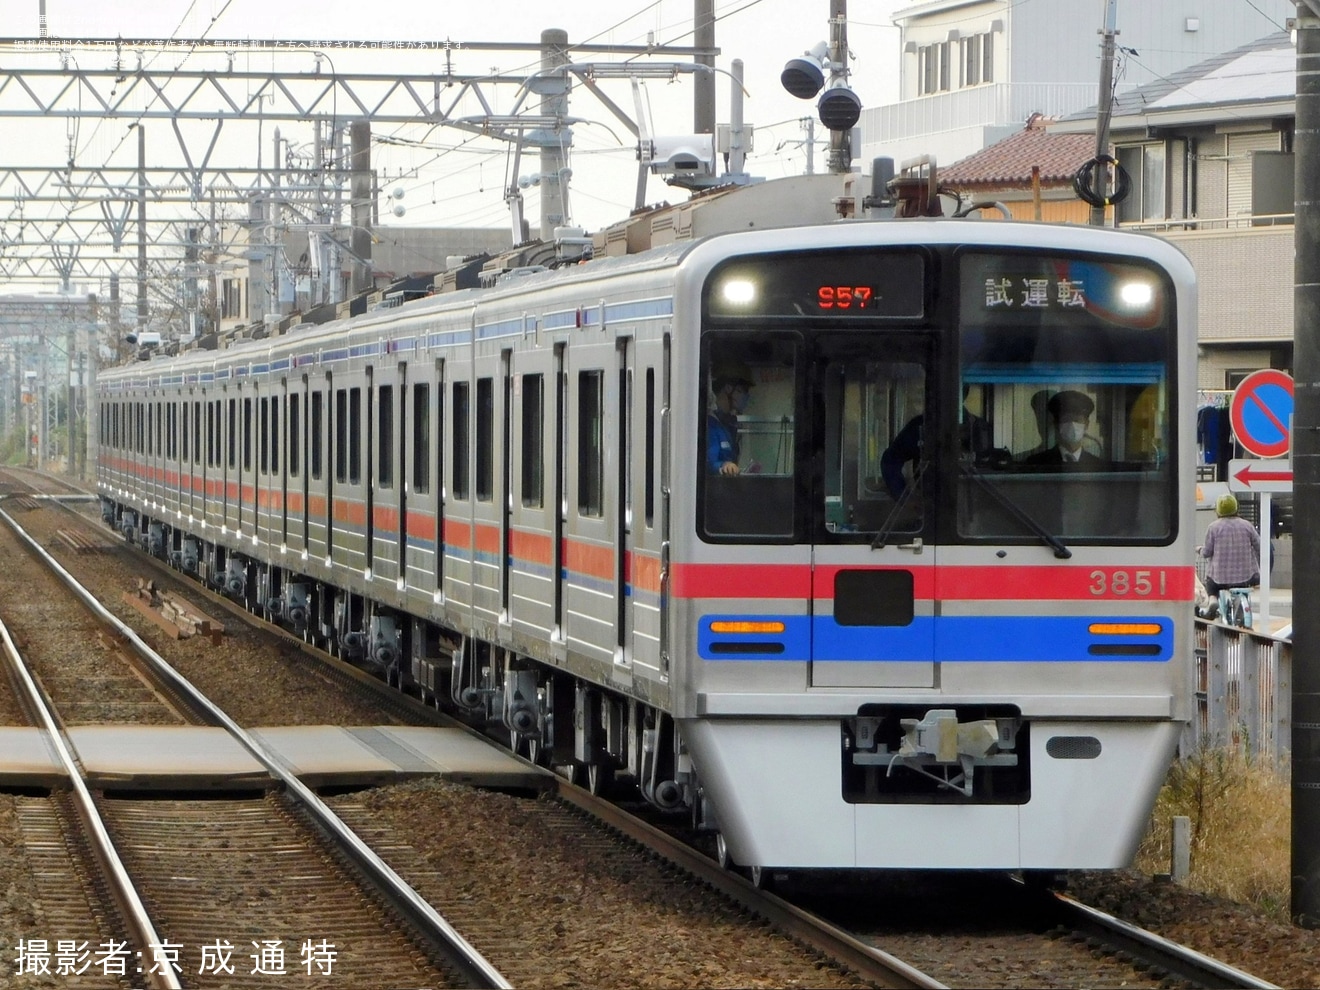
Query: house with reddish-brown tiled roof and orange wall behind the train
point(1029, 174)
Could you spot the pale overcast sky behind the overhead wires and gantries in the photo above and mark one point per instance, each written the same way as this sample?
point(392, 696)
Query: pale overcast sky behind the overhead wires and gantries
point(451, 187)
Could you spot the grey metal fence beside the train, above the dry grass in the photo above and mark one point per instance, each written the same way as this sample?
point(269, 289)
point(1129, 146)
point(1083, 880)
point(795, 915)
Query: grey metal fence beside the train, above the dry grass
point(1244, 694)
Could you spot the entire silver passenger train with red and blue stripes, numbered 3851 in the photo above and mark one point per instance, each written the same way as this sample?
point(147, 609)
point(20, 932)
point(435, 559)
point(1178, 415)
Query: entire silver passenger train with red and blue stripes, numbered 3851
point(898, 633)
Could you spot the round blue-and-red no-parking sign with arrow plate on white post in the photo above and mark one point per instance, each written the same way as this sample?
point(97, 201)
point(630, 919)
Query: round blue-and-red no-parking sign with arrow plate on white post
point(1261, 415)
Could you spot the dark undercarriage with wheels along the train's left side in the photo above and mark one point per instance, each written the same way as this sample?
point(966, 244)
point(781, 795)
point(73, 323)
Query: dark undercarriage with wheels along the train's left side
point(600, 739)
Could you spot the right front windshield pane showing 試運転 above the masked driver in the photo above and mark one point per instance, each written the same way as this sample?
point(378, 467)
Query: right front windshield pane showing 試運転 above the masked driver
point(1066, 365)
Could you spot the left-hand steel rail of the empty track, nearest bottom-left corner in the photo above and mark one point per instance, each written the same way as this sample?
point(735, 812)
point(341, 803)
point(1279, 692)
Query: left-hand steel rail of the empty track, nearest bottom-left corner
point(104, 849)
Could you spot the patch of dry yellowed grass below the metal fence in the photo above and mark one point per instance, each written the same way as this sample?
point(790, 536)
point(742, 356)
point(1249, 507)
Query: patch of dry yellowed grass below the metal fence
point(1241, 830)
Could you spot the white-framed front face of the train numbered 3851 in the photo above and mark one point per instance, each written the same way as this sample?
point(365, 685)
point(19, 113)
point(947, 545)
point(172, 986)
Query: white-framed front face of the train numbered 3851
point(937, 576)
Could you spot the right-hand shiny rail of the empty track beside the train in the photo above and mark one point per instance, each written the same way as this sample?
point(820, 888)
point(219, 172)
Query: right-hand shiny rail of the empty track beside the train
point(399, 893)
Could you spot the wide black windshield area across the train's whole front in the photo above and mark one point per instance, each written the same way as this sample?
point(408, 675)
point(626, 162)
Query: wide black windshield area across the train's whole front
point(1036, 407)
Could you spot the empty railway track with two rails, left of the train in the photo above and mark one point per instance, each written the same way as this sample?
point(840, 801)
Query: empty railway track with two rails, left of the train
point(200, 882)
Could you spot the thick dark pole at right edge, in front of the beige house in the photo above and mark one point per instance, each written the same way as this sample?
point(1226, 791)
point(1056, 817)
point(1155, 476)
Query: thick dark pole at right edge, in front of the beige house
point(1306, 472)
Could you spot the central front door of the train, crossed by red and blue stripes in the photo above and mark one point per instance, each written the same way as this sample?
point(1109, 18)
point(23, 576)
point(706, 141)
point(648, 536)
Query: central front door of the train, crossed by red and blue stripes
point(873, 571)
